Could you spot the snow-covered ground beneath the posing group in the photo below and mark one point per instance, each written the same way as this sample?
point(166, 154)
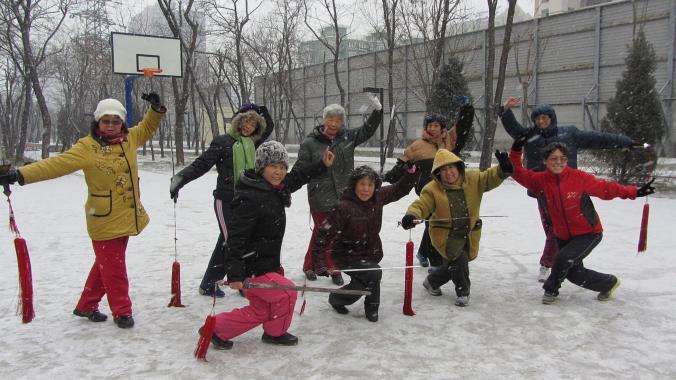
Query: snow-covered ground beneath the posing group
point(506, 332)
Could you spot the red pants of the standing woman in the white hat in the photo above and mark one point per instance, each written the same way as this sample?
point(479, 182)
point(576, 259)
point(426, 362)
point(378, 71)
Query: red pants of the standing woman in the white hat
point(108, 276)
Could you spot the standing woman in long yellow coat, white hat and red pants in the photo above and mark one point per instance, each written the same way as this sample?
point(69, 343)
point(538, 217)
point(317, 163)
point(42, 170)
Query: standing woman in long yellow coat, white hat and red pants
point(107, 156)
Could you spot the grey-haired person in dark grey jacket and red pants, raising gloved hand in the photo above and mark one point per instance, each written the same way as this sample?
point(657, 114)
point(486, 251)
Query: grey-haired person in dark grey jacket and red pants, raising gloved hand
point(325, 190)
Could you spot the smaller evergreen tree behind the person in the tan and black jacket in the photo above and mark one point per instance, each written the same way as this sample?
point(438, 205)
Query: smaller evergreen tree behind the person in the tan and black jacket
point(451, 84)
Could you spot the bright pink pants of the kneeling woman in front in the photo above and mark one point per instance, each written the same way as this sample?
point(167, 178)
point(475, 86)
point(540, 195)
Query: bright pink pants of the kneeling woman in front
point(271, 307)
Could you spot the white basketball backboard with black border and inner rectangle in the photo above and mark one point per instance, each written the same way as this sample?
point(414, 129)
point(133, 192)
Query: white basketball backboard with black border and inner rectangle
point(134, 52)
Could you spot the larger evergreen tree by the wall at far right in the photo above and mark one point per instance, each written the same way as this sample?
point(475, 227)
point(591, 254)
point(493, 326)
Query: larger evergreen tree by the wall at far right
point(635, 111)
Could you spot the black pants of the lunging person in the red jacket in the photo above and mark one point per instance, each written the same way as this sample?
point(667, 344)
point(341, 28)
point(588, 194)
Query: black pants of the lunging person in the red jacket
point(569, 265)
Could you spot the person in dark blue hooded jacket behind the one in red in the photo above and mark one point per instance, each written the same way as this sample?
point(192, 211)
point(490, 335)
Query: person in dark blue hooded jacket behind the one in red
point(544, 132)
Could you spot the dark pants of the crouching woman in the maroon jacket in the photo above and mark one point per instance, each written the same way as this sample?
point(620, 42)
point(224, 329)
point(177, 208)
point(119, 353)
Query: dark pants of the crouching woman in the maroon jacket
point(364, 280)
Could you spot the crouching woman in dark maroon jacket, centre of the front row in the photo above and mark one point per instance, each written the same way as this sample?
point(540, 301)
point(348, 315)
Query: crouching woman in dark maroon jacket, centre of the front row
point(351, 234)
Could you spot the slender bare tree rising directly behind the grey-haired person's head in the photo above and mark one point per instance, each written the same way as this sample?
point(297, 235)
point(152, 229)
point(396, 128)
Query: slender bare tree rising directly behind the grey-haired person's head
point(330, 35)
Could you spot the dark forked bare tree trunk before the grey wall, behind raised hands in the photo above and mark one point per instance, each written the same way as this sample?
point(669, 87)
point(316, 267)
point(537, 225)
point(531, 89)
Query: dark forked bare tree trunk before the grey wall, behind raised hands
point(489, 100)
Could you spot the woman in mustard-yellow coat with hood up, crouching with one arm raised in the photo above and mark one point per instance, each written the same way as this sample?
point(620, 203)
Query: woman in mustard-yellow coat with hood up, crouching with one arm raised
point(453, 199)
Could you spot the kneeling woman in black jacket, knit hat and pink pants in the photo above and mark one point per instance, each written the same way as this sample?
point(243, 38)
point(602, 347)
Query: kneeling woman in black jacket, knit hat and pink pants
point(255, 242)
